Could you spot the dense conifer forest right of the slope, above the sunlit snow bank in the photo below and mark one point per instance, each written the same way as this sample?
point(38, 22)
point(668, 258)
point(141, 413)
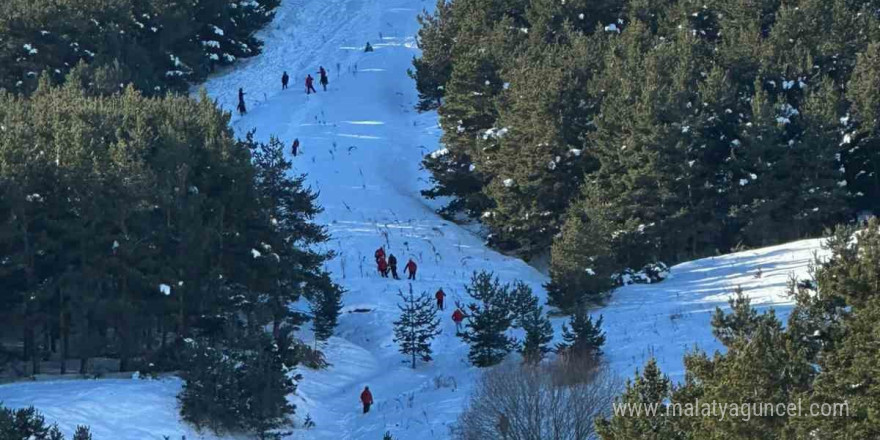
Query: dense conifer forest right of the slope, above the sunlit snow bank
point(617, 137)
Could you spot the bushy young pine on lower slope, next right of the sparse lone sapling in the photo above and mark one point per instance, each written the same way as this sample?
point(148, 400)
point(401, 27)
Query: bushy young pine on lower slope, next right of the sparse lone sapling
point(489, 320)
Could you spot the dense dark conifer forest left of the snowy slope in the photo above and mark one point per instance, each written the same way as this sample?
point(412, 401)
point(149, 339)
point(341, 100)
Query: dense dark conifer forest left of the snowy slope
point(138, 234)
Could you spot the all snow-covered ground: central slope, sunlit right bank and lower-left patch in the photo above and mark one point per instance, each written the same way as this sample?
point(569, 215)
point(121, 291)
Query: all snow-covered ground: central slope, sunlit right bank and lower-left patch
point(361, 146)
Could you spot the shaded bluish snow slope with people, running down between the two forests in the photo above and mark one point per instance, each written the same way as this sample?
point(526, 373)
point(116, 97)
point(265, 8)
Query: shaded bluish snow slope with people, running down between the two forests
point(361, 145)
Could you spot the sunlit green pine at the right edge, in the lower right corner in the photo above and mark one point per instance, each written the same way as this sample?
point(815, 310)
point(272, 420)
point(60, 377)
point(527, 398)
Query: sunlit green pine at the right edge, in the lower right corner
point(845, 323)
